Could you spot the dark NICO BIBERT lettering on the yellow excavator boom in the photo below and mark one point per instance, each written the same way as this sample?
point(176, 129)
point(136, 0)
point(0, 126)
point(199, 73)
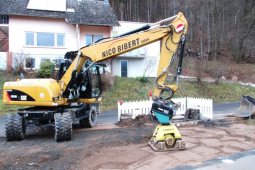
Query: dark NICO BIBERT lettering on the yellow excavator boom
point(120, 48)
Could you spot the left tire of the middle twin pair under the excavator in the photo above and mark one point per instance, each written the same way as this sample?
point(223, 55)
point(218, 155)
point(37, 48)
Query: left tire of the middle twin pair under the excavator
point(59, 128)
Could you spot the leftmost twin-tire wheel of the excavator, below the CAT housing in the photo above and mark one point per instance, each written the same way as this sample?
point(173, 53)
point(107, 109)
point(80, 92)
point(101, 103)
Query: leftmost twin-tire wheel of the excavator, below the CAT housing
point(15, 128)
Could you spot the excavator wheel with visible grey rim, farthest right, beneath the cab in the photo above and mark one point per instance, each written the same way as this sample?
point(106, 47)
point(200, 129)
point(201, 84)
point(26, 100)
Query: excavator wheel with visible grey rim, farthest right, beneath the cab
point(91, 120)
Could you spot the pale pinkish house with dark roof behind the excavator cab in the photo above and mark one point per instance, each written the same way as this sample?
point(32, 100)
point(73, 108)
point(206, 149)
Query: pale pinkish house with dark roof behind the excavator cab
point(42, 30)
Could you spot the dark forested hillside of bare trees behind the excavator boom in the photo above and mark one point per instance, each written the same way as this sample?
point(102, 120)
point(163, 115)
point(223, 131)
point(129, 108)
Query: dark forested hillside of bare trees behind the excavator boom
point(218, 28)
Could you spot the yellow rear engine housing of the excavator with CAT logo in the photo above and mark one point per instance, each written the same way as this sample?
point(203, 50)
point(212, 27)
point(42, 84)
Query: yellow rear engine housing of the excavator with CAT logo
point(32, 92)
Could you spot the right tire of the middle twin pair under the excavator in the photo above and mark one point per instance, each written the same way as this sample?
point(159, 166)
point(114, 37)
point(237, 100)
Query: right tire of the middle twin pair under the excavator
point(67, 122)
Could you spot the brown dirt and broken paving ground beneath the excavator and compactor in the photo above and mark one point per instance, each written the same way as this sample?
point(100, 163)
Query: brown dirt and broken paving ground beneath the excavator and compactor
point(115, 147)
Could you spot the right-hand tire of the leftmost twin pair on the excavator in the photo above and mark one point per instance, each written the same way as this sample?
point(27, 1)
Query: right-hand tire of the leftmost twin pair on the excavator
point(18, 127)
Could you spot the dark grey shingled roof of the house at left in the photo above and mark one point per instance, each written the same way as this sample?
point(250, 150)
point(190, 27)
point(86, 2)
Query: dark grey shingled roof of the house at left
point(87, 12)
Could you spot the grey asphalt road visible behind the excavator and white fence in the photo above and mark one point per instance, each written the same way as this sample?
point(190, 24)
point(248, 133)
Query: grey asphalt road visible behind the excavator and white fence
point(111, 117)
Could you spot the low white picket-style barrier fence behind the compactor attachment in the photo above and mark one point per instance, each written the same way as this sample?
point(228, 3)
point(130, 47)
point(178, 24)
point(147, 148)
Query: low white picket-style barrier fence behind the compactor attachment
point(143, 107)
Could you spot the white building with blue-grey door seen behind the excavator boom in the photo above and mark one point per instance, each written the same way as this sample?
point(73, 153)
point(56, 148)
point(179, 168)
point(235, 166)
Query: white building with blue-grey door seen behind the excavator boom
point(137, 63)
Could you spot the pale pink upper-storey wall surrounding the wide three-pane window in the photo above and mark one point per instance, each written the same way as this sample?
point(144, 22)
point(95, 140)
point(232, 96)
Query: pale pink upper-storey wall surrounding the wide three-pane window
point(19, 25)
